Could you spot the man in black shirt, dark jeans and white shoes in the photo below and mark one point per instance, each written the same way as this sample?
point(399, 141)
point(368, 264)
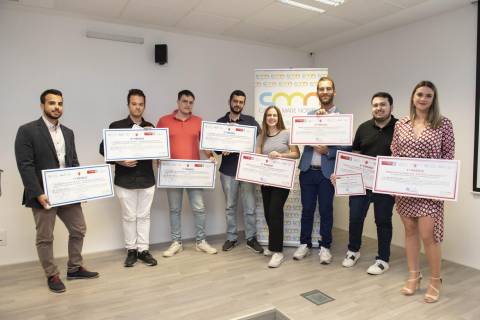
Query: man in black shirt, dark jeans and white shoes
point(373, 138)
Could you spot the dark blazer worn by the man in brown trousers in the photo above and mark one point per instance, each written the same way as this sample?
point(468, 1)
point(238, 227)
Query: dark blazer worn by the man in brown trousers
point(34, 151)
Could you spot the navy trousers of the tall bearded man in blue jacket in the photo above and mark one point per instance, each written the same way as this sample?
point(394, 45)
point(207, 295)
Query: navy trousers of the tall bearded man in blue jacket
point(315, 187)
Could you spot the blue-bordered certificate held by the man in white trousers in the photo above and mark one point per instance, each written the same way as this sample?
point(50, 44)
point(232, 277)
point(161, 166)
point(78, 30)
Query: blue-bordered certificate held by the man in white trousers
point(136, 144)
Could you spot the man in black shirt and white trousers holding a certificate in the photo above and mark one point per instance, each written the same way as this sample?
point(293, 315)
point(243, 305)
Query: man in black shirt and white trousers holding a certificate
point(135, 187)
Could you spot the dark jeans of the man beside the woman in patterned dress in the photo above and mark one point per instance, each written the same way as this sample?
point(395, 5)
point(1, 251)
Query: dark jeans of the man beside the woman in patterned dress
point(382, 207)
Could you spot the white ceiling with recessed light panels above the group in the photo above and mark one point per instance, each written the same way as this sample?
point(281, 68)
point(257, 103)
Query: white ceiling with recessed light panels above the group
point(262, 21)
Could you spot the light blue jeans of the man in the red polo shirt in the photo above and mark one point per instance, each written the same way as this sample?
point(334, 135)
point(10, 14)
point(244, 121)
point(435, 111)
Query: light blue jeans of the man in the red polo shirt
point(175, 199)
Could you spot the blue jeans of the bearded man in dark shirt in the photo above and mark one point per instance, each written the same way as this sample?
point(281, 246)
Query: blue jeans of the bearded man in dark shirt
point(231, 188)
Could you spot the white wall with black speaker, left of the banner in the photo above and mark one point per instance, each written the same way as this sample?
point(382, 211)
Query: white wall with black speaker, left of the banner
point(39, 51)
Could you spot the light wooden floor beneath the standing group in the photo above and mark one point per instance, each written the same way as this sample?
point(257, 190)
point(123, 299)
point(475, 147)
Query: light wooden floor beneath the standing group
point(194, 285)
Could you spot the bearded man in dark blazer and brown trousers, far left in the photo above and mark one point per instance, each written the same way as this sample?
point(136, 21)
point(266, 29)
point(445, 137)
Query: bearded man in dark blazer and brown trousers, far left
point(46, 144)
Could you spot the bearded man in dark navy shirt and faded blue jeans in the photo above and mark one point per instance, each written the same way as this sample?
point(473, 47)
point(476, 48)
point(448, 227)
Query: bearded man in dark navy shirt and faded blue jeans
point(231, 187)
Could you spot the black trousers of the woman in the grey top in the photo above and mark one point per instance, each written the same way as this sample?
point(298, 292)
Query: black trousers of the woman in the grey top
point(273, 201)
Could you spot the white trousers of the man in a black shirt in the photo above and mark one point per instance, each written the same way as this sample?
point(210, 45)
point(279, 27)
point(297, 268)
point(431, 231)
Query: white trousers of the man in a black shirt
point(136, 205)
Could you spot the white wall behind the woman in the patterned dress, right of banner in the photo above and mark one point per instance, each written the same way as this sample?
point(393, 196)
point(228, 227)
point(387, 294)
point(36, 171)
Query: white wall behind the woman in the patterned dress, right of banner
point(441, 49)
